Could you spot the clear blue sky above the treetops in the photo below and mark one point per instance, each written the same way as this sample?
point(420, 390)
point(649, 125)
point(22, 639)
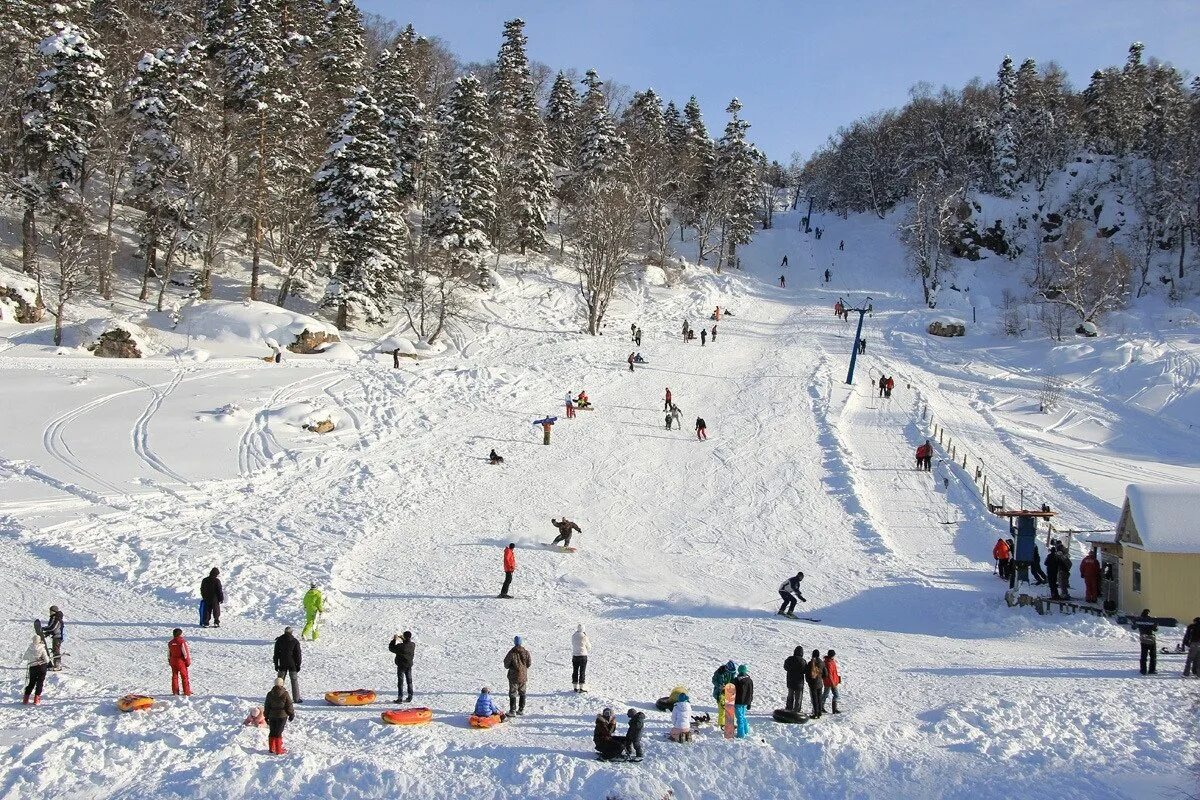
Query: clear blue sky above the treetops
point(803, 69)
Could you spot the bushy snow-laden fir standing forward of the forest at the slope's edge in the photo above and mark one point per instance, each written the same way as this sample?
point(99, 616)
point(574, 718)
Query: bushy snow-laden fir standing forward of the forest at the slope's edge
point(358, 199)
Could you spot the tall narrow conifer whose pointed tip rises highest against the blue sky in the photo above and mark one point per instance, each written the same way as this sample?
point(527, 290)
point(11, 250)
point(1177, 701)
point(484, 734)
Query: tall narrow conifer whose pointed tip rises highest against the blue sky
point(519, 148)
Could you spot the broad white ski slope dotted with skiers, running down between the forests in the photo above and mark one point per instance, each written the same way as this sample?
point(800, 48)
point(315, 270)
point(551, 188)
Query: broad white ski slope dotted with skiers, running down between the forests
point(122, 485)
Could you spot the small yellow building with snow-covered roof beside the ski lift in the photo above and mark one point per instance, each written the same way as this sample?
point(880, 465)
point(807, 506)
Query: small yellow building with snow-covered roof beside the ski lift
point(1154, 562)
